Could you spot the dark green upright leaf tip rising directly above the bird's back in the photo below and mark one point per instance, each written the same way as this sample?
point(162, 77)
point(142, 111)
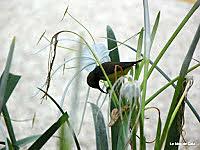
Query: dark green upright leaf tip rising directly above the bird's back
point(112, 45)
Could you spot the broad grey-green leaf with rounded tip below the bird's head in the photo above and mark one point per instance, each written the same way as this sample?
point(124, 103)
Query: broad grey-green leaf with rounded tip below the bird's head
point(100, 128)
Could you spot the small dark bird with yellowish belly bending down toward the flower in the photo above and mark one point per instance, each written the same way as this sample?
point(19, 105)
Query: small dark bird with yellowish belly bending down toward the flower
point(113, 70)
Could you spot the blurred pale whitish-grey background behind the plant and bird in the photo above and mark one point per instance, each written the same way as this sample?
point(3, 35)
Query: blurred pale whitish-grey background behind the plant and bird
point(27, 20)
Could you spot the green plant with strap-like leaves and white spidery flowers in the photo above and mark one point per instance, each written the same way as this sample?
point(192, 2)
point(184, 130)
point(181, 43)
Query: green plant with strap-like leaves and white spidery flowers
point(127, 97)
